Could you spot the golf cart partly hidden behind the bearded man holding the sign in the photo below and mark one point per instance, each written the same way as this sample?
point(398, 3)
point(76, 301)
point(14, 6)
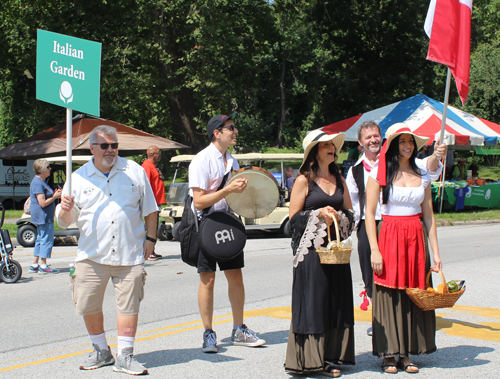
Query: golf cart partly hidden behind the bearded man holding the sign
point(26, 230)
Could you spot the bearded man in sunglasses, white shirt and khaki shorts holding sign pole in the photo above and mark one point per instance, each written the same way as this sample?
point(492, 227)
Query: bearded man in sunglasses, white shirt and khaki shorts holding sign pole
point(110, 197)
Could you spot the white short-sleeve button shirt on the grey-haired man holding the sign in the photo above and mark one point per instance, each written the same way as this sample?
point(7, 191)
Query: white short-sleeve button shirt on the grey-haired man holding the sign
point(109, 212)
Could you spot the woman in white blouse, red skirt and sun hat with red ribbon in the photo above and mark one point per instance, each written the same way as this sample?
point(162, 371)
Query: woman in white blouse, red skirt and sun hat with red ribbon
point(400, 255)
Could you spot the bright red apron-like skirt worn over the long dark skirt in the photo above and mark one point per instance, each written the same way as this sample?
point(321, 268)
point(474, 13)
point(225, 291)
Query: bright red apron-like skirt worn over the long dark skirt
point(402, 244)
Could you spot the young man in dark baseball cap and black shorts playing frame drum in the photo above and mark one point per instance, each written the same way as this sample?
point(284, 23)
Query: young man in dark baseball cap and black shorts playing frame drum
point(206, 173)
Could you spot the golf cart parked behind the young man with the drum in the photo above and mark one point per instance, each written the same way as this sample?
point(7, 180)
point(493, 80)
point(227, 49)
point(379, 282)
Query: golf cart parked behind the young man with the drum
point(275, 222)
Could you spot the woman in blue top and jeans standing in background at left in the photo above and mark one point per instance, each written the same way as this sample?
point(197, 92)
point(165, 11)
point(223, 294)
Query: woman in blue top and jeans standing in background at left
point(42, 215)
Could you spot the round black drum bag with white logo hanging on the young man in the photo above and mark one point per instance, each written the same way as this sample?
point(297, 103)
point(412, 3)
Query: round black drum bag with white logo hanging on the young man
point(222, 236)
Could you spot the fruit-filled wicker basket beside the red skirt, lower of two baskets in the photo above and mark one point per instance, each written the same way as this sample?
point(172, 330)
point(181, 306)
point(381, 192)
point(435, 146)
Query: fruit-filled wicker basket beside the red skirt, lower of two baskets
point(444, 295)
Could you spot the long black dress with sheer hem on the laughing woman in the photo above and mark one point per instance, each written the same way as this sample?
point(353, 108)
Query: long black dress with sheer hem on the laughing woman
point(322, 304)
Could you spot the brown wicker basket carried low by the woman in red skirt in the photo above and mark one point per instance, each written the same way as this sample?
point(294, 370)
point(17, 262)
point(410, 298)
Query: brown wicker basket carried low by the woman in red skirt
point(429, 300)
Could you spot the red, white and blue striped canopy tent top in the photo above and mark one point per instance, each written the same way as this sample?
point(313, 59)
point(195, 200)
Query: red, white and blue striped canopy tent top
point(423, 116)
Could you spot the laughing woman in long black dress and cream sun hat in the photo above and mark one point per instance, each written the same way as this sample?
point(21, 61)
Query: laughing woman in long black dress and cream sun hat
point(322, 331)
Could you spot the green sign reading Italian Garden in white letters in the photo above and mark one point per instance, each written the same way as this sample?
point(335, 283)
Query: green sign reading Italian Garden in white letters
point(68, 72)
